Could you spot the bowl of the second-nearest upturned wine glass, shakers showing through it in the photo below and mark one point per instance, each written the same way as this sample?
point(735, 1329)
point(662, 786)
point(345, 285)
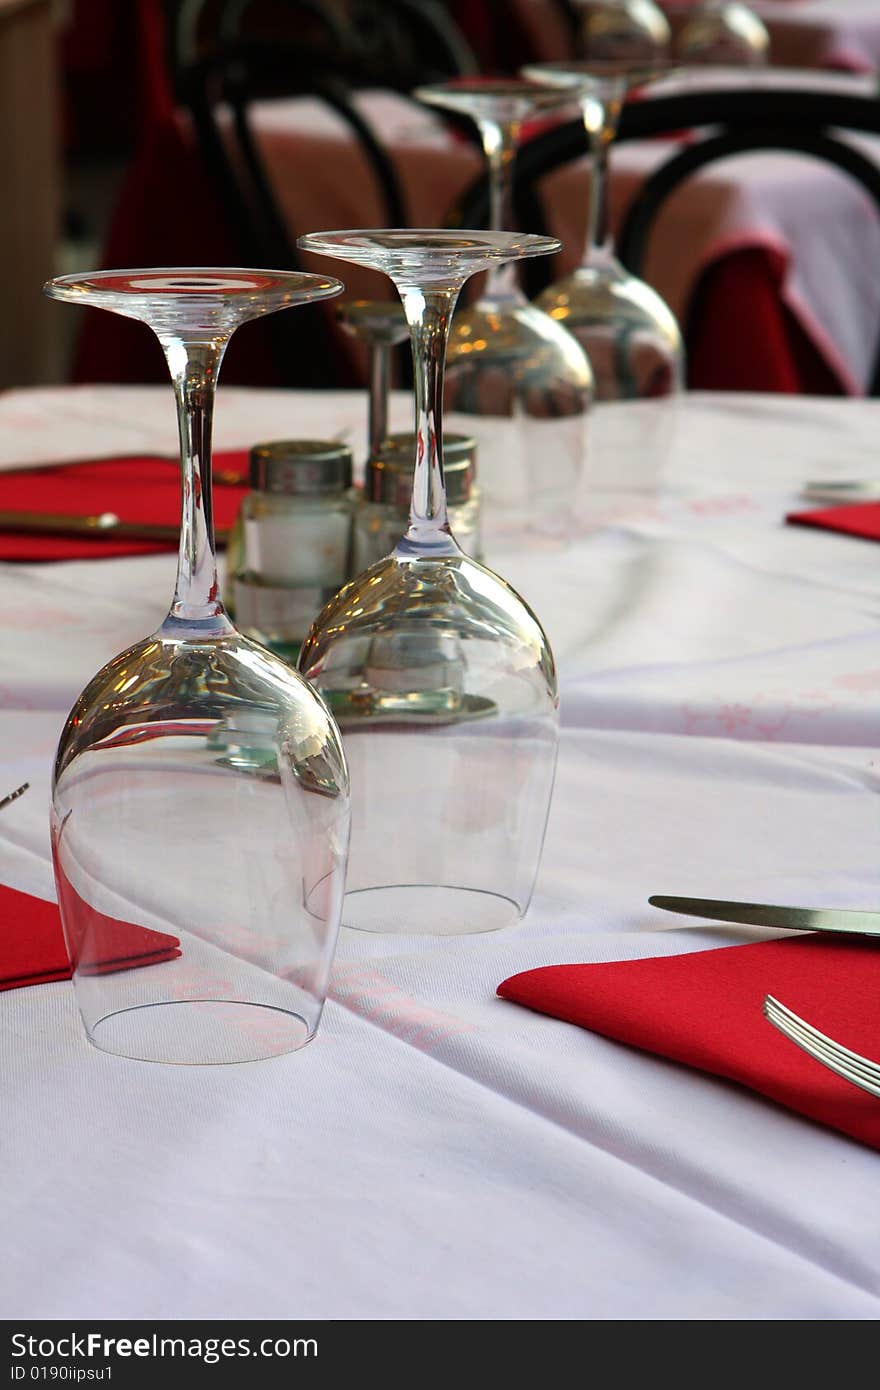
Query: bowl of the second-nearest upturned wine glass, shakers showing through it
point(444, 687)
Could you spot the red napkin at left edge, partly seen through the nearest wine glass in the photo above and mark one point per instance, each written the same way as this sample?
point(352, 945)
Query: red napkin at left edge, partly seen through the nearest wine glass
point(33, 949)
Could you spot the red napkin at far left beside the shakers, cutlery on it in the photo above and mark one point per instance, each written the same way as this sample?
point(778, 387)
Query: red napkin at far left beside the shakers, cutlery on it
point(137, 490)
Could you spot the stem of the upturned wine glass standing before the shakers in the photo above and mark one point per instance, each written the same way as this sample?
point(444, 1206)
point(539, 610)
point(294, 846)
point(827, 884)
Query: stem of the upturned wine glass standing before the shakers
point(429, 313)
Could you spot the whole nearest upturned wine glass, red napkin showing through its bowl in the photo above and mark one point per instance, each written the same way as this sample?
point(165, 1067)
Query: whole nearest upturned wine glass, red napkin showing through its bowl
point(201, 797)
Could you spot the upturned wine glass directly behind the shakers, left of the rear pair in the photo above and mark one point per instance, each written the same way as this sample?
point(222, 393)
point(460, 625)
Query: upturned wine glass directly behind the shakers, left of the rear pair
point(508, 362)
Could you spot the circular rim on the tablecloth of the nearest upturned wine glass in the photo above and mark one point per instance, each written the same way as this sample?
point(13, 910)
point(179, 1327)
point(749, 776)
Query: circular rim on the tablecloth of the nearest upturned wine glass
point(202, 1032)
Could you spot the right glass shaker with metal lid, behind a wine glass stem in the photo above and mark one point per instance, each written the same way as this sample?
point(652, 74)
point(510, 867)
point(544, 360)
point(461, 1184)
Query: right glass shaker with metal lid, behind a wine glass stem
point(383, 514)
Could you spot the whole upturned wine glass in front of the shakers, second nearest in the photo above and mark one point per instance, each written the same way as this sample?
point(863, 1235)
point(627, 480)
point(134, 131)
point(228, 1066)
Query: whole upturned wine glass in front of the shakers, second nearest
point(440, 676)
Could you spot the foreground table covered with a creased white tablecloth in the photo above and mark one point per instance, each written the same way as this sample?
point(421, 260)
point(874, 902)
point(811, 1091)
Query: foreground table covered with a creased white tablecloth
point(439, 1153)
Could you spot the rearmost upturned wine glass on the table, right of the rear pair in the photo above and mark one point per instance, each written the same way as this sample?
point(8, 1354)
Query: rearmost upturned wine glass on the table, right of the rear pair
point(629, 333)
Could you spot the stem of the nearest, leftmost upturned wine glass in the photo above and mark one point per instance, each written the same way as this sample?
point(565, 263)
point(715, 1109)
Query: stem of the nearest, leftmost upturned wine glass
point(194, 369)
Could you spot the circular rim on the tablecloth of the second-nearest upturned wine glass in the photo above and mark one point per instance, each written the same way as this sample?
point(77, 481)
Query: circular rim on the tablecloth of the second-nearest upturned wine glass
point(429, 910)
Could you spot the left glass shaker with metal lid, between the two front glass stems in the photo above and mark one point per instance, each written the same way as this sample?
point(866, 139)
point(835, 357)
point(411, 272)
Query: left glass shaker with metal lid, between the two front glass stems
point(290, 550)
